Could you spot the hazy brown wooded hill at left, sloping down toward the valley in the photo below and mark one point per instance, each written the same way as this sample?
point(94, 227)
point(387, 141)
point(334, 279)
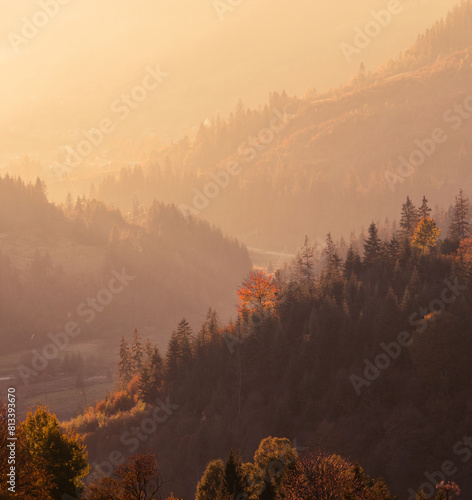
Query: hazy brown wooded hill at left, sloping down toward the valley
point(55, 261)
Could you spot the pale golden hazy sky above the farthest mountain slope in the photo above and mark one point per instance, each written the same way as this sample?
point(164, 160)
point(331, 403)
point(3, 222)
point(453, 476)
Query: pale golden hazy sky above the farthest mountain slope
point(88, 52)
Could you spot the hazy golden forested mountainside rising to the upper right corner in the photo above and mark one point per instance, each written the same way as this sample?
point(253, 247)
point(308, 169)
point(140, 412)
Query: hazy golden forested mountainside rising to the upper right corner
point(363, 146)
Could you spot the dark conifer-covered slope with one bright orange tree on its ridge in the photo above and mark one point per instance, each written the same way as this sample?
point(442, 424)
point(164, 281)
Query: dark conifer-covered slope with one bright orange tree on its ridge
point(302, 361)
